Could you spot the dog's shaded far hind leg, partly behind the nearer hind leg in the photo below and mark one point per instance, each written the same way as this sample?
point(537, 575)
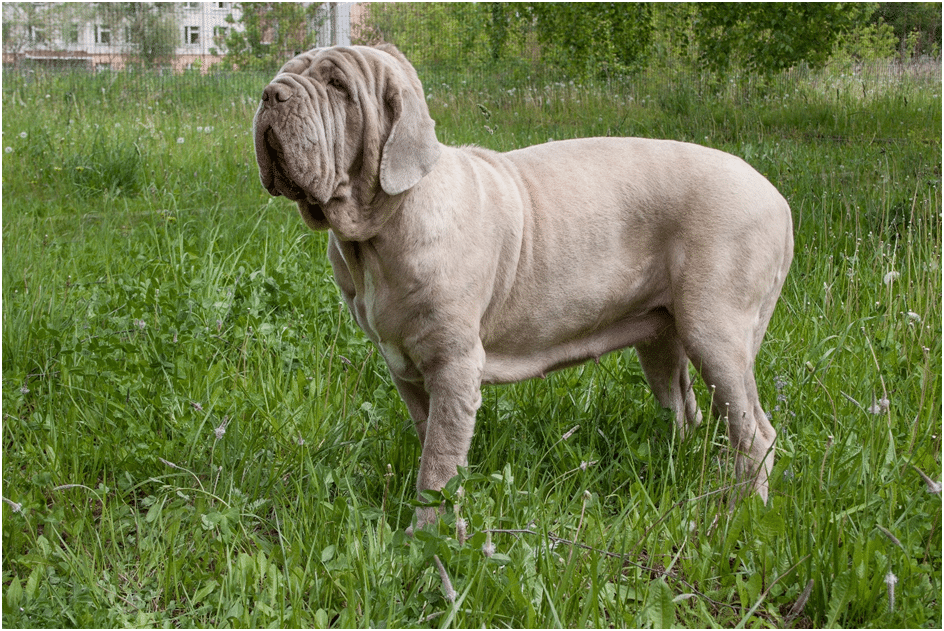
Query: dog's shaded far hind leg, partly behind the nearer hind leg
point(665, 365)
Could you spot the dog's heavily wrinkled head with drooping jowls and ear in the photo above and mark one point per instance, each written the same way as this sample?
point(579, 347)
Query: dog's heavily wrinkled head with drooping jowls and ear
point(344, 131)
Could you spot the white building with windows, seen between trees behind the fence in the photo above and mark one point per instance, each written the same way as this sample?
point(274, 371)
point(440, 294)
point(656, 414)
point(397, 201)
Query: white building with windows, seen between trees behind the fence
point(72, 34)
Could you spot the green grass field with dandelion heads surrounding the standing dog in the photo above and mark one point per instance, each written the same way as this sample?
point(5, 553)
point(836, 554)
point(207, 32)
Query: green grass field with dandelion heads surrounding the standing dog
point(196, 435)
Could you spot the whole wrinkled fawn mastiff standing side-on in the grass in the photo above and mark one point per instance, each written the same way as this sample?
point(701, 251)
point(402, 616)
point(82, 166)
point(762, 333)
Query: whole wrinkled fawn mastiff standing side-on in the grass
point(466, 266)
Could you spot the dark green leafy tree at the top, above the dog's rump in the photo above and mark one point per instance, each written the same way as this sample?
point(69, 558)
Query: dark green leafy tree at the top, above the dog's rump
point(767, 37)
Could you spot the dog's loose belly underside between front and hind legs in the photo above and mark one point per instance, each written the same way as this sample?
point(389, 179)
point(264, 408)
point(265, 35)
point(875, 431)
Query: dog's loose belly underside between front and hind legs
point(502, 366)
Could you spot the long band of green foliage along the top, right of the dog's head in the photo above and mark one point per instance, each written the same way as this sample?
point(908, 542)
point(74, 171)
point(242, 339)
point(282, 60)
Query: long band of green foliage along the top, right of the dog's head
point(582, 40)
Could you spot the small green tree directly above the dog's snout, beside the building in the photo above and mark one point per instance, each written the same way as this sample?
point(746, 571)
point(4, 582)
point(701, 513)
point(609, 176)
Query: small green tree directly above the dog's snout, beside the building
point(272, 33)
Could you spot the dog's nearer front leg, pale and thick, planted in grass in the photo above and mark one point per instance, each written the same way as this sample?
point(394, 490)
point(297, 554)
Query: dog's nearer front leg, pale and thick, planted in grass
point(455, 395)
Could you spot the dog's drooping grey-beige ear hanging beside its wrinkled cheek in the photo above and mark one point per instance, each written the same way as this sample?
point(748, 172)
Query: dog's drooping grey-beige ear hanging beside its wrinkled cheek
point(411, 150)
